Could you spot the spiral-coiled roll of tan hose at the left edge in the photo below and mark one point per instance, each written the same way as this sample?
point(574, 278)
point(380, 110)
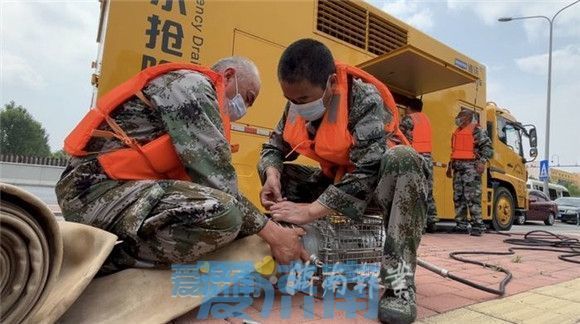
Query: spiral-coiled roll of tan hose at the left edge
point(30, 253)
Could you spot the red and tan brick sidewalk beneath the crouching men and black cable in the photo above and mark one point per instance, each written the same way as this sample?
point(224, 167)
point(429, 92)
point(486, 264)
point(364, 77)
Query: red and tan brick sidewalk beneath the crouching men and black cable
point(558, 302)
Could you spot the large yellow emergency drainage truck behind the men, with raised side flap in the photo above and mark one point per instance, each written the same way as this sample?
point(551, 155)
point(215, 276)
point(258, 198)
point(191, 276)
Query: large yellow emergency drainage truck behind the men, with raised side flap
point(134, 35)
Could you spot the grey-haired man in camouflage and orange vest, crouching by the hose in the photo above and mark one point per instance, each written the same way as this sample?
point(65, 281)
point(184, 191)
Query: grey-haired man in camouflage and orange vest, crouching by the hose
point(152, 164)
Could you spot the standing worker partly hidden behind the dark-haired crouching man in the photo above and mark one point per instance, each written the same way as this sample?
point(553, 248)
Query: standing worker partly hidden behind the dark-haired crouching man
point(407, 126)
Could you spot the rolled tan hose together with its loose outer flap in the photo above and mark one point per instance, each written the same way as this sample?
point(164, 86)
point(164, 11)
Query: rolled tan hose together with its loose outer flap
point(45, 264)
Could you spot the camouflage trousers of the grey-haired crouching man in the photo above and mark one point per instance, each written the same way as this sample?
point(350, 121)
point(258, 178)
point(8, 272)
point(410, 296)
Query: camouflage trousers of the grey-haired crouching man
point(162, 222)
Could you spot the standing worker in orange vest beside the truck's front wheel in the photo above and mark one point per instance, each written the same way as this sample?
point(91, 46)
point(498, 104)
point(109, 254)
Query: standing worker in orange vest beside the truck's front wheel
point(466, 171)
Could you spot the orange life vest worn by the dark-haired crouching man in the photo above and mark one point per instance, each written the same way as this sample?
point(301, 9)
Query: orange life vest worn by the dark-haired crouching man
point(332, 143)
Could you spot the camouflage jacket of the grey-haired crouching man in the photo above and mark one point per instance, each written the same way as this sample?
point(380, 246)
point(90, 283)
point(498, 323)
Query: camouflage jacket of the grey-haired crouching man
point(186, 108)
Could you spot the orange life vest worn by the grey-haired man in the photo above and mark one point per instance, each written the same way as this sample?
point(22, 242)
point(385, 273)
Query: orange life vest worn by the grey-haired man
point(154, 160)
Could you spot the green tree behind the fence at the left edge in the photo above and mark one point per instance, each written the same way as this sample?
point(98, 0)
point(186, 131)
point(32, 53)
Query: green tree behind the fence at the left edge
point(20, 134)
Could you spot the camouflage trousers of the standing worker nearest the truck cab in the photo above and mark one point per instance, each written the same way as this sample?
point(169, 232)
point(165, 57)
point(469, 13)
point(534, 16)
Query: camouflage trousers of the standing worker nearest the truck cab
point(467, 193)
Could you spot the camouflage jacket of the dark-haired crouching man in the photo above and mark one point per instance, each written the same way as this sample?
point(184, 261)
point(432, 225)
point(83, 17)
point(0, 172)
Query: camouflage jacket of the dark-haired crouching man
point(367, 117)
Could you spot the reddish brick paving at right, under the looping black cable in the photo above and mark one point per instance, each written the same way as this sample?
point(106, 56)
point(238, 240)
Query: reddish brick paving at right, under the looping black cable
point(530, 269)
